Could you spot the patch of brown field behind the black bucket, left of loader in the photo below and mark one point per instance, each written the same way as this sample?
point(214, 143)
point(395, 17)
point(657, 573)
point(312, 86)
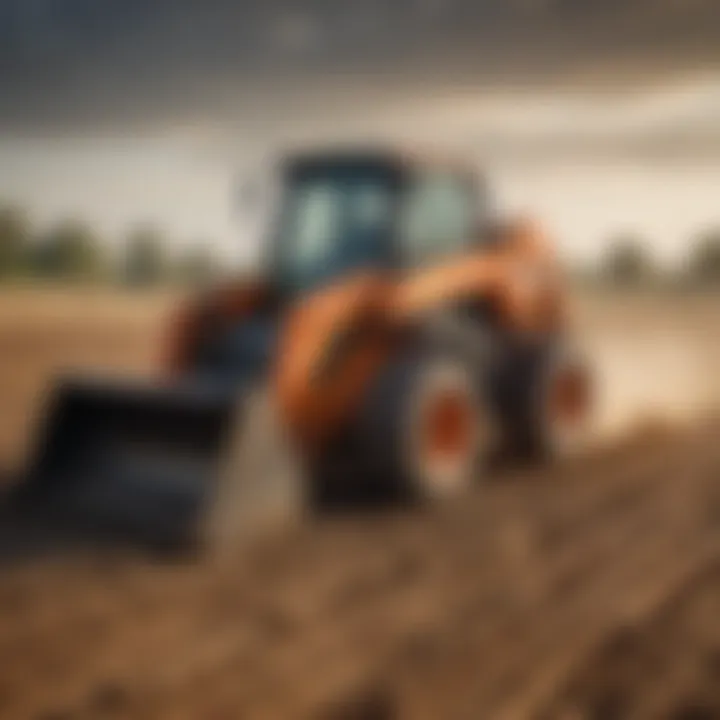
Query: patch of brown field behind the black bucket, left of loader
point(50, 332)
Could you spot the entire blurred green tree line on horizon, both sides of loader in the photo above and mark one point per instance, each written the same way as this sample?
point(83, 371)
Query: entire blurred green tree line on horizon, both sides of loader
point(71, 251)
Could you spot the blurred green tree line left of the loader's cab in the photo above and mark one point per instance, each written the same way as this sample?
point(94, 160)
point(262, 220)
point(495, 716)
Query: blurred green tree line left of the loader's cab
point(72, 251)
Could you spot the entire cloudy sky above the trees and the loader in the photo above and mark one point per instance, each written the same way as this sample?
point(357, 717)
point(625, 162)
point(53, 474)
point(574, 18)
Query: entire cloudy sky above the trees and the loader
point(601, 117)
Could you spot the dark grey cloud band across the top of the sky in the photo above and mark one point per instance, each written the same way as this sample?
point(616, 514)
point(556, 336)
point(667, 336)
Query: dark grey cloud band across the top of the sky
point(74, 65)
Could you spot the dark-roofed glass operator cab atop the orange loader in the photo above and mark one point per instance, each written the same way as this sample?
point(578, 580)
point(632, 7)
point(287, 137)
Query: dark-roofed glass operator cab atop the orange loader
point(344, 212)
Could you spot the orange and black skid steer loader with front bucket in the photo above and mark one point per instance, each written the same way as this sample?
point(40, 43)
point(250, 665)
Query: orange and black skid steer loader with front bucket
point(397, 333)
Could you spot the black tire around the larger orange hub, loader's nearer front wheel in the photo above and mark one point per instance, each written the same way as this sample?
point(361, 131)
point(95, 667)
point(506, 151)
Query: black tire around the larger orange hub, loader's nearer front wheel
point(388, 422)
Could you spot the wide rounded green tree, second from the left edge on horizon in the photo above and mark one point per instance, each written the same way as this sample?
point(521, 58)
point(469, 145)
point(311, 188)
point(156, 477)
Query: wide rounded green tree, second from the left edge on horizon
point(69, 251)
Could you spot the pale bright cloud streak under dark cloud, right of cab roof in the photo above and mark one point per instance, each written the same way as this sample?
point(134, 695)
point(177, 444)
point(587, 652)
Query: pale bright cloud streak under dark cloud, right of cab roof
point(679, 120)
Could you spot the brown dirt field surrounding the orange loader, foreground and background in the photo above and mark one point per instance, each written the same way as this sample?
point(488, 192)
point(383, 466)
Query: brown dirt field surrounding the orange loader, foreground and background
point(591, 590)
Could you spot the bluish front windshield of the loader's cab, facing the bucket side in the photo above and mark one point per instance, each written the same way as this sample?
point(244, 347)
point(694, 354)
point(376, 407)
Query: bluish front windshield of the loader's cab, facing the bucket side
point(333, 220)
